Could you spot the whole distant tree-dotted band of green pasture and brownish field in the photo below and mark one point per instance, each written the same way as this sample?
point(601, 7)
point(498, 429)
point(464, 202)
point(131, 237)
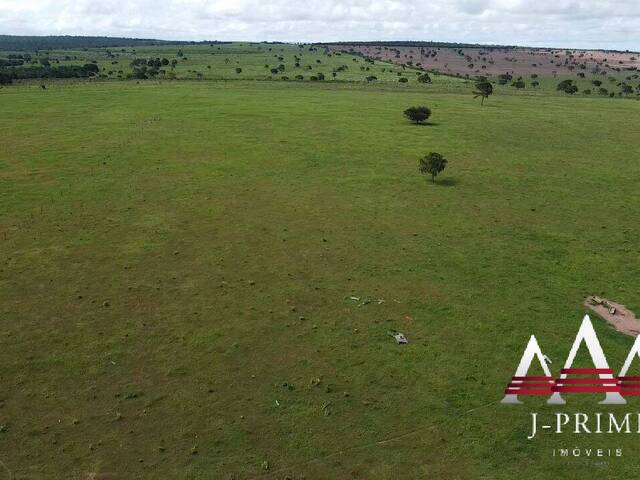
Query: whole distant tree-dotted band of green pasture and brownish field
point(343, 63)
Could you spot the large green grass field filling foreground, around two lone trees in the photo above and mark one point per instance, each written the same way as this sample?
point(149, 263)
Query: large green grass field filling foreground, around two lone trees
point(178, 260)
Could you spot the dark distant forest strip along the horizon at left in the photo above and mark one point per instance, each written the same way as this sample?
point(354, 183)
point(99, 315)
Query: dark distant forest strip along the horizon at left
point(61, 42)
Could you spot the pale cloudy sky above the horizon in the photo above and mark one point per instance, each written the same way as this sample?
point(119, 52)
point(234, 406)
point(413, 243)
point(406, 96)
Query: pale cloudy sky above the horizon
point(561, 23)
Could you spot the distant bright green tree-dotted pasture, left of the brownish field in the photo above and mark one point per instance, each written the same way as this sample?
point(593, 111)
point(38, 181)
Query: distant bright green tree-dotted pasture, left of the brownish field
point(221, 61)
